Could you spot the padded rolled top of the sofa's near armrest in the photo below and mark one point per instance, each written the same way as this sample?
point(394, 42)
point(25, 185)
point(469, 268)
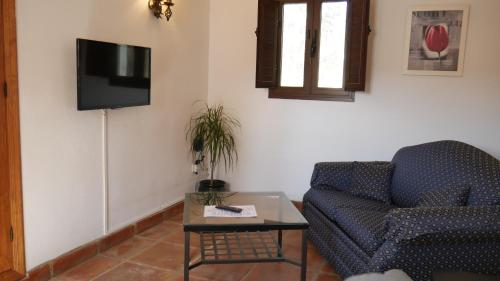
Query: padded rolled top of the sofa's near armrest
point(449, 223)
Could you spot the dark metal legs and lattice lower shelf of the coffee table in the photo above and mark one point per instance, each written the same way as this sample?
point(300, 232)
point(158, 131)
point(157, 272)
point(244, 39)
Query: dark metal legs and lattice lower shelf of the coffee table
point(242, 243)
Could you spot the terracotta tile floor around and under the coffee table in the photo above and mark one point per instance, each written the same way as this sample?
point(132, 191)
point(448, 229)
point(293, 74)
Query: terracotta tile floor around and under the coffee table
point(157, 254)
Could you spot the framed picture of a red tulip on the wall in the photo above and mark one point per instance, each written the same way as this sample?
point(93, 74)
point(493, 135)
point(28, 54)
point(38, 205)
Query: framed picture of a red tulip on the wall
point(435, 42)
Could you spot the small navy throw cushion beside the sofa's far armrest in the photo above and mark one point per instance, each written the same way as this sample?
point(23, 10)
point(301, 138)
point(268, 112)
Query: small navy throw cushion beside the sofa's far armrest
point(372, 181)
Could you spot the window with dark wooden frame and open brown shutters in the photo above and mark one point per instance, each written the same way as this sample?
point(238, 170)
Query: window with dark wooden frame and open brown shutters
point(312, 49)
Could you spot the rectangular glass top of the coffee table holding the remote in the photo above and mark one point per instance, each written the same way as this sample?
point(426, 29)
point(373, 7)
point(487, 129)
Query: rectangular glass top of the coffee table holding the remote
point(274, 211)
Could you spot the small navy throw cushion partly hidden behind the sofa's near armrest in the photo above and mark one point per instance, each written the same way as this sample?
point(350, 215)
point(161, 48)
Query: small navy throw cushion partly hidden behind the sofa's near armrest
point(453, 196)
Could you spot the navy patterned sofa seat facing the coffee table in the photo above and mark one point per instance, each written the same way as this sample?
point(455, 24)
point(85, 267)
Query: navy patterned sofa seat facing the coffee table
point(361, 219)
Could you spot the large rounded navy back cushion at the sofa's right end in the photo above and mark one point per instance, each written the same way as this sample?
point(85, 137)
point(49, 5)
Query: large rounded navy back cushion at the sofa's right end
point(431, 166)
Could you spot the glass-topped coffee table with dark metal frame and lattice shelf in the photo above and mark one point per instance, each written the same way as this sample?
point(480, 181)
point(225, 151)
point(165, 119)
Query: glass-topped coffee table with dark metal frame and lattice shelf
point(243, 240)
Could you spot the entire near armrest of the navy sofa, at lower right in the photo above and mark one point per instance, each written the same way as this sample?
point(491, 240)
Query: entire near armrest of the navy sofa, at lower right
point(425, 240)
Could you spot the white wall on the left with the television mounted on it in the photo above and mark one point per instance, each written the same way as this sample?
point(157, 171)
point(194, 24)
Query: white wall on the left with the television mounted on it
point(61, 147)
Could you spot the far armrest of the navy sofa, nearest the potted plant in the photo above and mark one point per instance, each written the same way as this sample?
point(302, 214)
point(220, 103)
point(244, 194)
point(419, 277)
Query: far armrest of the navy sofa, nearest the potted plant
point(332, 175)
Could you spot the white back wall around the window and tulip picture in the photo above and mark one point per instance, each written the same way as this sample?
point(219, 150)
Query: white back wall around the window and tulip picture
point(282, 139)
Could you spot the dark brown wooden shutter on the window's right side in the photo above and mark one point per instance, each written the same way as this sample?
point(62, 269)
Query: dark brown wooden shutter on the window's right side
point(356, 44)
